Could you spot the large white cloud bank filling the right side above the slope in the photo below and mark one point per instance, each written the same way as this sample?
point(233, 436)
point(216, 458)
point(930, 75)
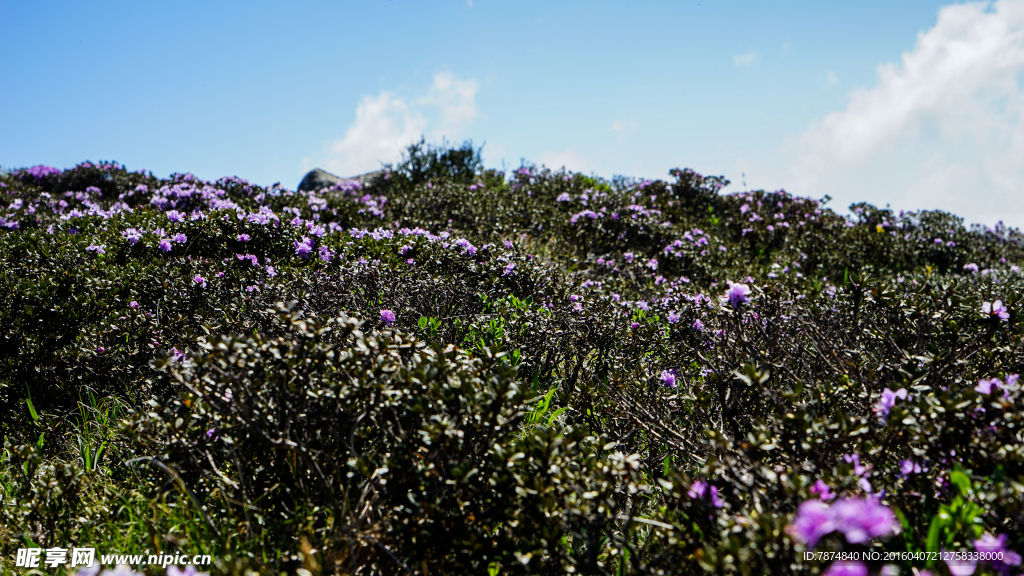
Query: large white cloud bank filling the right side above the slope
point(944, 130)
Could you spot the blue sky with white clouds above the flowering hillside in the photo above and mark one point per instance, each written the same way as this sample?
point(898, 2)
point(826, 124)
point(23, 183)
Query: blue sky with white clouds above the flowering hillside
point(915, 104)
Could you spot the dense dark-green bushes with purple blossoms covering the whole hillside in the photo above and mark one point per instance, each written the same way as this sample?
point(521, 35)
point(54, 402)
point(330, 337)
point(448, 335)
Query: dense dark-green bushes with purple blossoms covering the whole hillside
point(477, 374)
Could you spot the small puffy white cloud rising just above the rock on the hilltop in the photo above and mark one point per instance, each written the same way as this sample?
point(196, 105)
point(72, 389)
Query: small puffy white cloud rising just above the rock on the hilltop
point(387, 125)
